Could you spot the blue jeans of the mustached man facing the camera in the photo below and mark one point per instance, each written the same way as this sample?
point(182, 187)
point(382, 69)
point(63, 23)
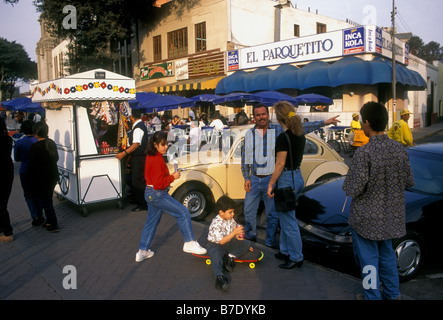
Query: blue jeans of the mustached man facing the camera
point(259, 188)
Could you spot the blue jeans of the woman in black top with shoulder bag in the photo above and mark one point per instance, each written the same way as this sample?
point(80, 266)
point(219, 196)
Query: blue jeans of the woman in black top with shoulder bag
point(290, 238)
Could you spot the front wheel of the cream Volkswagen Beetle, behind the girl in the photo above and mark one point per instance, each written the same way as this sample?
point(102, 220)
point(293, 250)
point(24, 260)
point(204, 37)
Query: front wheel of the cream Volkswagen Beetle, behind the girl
point(195, 198)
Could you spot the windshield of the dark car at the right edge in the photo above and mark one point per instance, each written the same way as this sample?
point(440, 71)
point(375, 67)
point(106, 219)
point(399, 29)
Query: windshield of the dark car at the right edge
point(428, 172)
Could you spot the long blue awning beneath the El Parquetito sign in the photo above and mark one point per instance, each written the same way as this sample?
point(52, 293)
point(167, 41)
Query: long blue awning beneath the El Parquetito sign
point(348, 70)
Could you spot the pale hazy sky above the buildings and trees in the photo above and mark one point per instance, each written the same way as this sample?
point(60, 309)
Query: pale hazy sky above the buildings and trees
point(423, 18)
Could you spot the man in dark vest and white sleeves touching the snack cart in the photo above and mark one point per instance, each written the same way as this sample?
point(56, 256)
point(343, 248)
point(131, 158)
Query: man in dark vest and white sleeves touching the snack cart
point(137, 153)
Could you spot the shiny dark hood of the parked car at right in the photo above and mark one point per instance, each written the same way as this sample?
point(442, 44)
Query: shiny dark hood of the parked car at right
point(325, 206)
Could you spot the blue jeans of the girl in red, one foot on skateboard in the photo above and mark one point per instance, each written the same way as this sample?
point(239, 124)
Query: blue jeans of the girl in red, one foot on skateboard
point(159, 201)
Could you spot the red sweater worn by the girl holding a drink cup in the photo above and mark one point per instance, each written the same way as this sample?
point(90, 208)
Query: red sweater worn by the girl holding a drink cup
point(157, 173)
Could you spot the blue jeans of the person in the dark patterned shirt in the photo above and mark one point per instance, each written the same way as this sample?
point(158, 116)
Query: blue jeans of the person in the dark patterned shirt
point(380, 256)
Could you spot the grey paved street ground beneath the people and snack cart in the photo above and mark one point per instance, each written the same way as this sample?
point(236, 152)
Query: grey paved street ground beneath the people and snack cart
point(93, 258)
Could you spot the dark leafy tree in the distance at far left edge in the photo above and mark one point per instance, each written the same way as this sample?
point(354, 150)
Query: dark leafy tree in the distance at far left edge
point(15, 64)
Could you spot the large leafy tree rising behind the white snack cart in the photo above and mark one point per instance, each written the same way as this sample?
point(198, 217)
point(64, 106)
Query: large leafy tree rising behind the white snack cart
point(99, 26)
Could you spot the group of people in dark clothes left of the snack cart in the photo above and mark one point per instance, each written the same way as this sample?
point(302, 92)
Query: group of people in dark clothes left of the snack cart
point(38, 172)
